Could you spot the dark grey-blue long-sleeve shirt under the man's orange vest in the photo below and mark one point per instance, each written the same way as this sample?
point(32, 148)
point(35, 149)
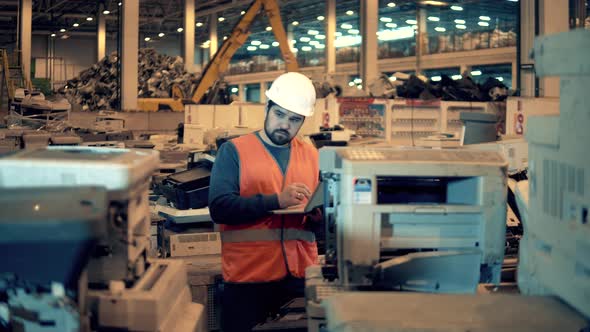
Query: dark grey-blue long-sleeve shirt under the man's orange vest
point(225, 203)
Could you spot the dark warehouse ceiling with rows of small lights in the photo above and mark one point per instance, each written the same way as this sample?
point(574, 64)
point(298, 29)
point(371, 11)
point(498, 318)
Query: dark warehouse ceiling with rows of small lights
point(65, 18)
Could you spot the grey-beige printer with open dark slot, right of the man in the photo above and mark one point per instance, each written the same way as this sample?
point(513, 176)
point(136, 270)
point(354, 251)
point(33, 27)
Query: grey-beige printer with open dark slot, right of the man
point(393, 211)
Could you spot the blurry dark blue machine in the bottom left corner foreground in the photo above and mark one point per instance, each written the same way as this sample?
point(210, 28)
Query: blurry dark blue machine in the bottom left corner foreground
point(46, 238)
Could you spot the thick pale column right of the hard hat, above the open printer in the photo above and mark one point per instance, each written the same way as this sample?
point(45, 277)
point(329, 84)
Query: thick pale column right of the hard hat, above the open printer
point(369, 18)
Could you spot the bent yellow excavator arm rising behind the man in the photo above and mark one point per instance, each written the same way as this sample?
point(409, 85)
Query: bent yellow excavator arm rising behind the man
point(239, 35)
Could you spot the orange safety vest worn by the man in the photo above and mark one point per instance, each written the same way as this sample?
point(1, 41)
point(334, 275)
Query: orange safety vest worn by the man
point(255, 252)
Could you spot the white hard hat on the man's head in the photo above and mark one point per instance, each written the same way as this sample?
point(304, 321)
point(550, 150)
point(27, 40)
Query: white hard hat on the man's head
point(294, 92)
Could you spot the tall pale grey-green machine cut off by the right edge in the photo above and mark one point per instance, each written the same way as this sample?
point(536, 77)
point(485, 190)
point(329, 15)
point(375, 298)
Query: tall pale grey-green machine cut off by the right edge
point(554, 257)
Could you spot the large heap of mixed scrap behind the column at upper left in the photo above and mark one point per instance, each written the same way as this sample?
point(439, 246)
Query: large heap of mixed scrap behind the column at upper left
point(97, 88)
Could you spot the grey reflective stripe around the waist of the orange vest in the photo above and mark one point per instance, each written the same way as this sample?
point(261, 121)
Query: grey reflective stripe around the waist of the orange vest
point(273, 234)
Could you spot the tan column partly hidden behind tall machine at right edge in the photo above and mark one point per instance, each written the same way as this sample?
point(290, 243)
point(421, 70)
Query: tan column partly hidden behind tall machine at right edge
point(553, 18)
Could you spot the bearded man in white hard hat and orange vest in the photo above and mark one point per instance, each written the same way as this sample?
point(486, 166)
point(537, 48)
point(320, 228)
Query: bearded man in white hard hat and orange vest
point(264, 255)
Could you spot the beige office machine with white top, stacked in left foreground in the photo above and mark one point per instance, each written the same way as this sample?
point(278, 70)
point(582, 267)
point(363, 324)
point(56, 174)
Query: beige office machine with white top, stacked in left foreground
point(125, 289)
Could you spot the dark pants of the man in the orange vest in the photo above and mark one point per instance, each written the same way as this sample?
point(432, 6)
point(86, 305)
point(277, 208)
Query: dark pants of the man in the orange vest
point(246, 304)
